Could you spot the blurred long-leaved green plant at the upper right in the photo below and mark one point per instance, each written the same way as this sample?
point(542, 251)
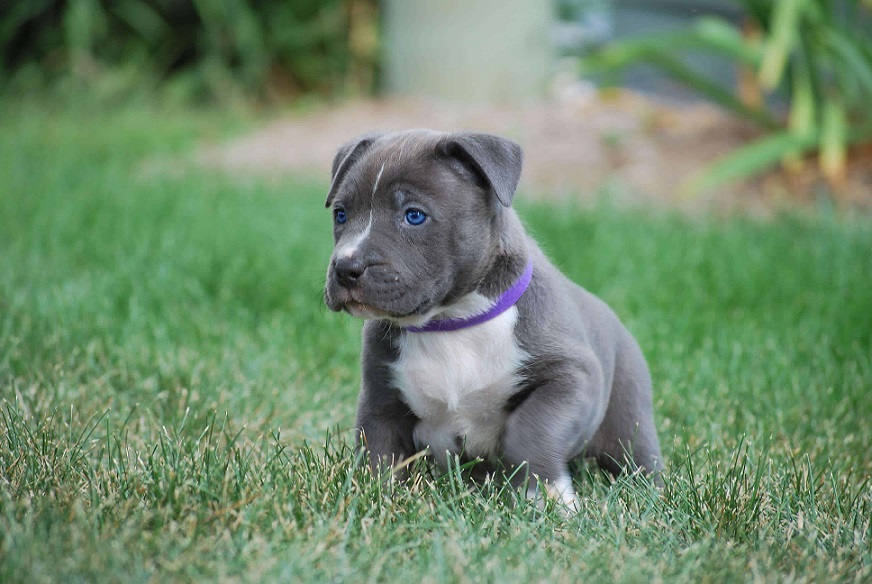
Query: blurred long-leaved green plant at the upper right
point(817, 53)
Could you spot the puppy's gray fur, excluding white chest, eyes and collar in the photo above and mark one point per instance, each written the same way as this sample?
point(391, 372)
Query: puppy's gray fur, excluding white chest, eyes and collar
point(584, 388)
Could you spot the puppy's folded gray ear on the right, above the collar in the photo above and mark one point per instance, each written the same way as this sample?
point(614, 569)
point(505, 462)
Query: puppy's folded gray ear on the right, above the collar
point(494, 162)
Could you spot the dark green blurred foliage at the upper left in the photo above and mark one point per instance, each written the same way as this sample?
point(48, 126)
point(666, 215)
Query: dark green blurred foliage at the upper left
point(200, 48)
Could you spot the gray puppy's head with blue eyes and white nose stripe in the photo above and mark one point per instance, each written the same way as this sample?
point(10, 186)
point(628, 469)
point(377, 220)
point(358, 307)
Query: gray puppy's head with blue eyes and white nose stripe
point(416, 220)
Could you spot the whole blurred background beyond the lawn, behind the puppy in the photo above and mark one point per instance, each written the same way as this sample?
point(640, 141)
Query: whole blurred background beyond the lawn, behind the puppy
point(750, 103)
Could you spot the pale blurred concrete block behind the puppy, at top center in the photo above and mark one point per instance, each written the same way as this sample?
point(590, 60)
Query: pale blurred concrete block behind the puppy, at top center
point(493, 51)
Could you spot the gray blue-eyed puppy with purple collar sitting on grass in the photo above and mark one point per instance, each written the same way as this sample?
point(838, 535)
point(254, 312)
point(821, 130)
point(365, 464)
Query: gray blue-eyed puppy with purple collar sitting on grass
point(475, 345)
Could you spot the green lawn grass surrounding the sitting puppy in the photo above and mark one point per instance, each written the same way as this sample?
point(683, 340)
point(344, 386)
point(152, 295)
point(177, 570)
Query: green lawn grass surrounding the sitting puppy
point(175, 401)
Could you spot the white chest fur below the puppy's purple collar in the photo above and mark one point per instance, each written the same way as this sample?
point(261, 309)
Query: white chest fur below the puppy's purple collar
point(457, 383)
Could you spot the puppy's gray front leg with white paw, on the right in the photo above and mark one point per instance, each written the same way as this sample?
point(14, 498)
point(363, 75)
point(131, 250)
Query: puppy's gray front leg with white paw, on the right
point(553, 423)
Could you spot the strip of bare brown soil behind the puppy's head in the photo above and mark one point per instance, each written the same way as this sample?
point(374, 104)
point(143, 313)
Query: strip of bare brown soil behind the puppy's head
point(585, 144)
